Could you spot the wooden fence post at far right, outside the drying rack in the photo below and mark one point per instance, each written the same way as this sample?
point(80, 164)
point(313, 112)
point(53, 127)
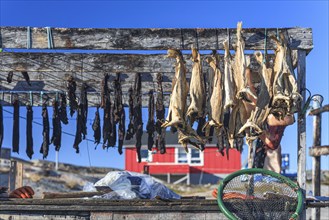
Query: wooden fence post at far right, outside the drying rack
point(316, 169)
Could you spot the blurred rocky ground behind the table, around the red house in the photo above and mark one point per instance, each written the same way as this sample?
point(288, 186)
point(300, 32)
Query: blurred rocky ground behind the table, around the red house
point(42, 177)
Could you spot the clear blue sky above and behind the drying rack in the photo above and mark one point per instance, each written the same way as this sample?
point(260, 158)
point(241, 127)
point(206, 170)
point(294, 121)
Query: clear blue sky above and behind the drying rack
point(175, 14)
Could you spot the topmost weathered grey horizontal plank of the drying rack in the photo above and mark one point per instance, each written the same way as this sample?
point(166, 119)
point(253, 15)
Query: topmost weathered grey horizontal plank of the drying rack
point(149, 38)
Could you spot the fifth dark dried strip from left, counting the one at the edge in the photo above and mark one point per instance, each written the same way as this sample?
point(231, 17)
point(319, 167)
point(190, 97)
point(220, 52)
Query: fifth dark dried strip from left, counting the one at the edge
point(57, 127)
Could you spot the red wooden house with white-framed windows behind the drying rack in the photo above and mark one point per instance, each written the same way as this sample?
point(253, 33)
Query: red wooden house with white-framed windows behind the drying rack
point(175, 166)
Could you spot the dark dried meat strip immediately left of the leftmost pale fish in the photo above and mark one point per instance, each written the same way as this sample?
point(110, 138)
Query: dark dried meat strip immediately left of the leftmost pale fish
point(160, 116)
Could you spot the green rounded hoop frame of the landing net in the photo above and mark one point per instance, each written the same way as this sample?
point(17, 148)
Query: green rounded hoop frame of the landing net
point(227, 213)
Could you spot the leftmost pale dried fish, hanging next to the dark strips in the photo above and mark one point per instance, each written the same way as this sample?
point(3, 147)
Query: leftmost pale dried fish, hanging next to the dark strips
point(177, 105)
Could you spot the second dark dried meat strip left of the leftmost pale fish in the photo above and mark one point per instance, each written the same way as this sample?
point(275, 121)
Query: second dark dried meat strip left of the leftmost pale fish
point(150, 127)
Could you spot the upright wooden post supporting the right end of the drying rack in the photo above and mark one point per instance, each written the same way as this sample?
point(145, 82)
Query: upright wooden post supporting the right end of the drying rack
point(301, 130)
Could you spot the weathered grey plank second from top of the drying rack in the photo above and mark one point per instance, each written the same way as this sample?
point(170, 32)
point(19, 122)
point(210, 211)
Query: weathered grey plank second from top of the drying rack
point(85, 63)
